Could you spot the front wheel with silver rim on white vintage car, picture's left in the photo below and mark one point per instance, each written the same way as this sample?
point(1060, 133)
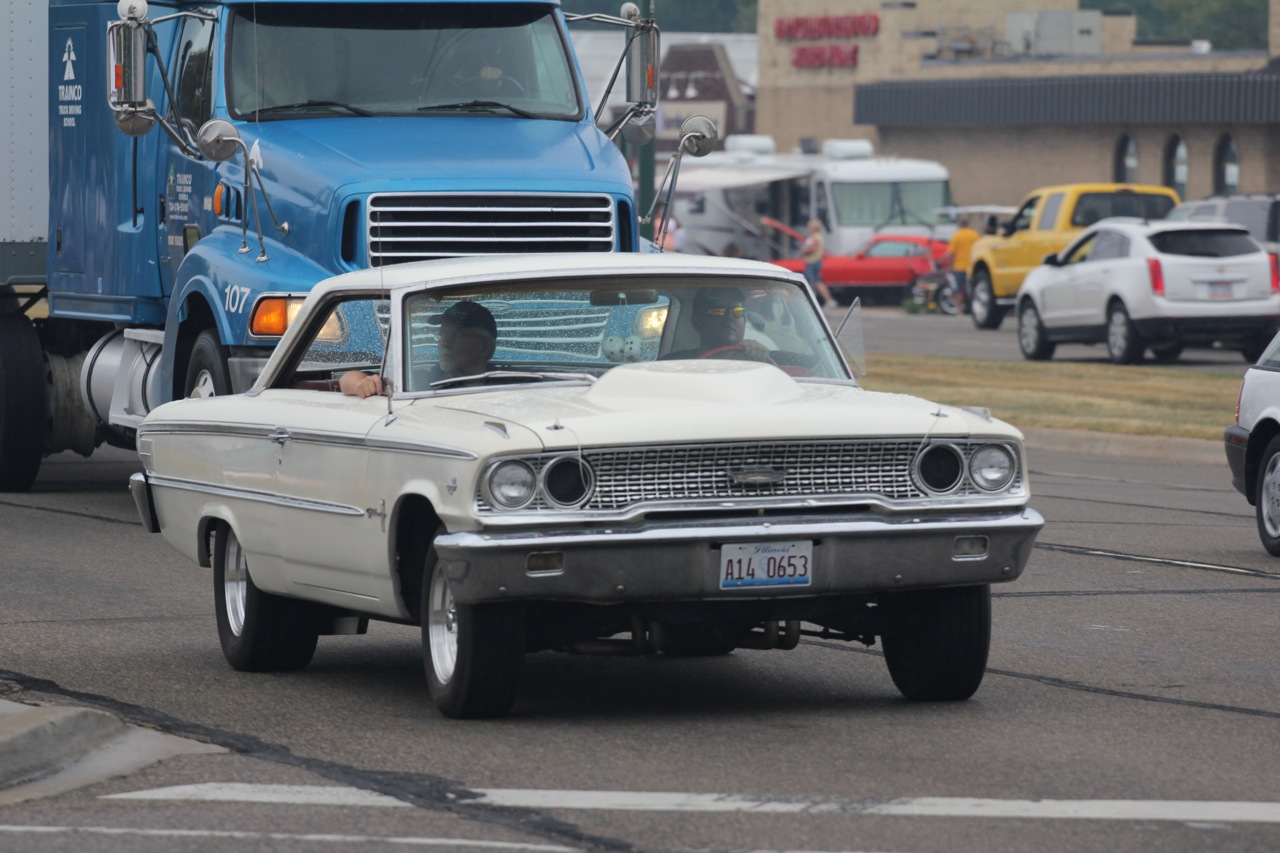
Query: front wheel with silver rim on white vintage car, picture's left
point(473, 654)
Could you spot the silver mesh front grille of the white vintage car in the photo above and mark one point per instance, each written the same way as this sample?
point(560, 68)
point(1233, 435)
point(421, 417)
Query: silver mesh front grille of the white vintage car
point(646, 476)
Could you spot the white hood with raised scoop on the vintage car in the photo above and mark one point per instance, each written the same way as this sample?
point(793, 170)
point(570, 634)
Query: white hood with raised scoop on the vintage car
point(696, 402)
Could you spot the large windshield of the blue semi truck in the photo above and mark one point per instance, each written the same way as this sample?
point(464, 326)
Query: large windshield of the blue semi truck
point(291, 61)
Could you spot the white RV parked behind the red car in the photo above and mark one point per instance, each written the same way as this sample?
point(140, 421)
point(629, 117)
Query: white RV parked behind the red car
point(733, 202)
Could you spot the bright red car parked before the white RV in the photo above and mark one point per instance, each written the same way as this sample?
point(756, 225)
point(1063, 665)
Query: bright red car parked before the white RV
point(885, 267)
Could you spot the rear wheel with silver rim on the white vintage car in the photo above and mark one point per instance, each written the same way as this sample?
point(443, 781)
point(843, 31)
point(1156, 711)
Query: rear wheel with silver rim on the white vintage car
point(259, 632)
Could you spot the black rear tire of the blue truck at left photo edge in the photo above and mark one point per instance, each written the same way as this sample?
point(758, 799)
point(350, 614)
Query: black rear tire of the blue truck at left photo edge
point(22, 403)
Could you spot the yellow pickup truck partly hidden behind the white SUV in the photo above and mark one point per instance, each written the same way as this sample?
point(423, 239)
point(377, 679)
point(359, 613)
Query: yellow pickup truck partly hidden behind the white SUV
point(1046, 222)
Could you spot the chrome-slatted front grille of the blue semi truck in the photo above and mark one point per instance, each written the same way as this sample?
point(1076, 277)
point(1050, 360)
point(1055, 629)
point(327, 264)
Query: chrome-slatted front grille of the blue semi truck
point(408, 227)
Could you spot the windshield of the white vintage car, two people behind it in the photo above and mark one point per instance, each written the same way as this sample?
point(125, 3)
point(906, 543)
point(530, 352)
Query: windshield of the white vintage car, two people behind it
point(582, 330)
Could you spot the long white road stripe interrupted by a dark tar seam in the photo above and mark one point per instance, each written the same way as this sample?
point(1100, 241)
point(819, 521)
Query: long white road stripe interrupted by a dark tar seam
point(1126, 810)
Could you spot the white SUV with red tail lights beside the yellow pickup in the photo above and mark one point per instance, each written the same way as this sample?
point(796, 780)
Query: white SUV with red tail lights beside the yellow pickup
point(1136, 284)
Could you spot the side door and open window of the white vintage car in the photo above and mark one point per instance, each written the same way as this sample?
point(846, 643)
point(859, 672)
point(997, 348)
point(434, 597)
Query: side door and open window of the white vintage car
point(331, 533)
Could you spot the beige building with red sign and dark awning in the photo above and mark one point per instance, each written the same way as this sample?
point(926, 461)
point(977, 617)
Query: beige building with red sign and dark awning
point(1017, 94)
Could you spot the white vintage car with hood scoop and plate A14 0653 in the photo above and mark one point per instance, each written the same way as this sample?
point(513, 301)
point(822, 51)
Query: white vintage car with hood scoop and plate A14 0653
point(582, 490)
